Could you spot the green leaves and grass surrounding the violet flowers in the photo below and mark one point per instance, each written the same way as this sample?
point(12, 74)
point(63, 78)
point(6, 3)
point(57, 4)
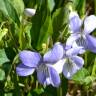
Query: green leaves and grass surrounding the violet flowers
point(38, 33)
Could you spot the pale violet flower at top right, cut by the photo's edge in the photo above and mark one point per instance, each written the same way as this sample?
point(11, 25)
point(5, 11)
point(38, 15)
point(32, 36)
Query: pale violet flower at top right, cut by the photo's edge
point(81, 36)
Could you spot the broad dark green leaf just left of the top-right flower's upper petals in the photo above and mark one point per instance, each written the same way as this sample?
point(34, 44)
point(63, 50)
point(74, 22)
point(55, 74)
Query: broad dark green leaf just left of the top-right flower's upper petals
point(59, 20)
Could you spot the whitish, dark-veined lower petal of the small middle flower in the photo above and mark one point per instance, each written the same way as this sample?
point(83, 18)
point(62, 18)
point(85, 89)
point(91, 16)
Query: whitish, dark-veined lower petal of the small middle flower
point(69, 69)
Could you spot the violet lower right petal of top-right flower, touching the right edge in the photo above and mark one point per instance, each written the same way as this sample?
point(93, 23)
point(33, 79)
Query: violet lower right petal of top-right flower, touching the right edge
point(91, 43)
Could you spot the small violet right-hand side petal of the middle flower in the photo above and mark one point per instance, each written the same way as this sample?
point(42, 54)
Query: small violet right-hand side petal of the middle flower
point(78, 61)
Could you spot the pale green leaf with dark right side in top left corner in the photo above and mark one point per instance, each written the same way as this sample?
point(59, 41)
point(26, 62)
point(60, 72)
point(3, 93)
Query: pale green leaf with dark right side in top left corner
point(9, 11)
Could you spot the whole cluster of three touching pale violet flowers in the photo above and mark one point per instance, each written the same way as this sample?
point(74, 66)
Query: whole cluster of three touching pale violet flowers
point(62, 58)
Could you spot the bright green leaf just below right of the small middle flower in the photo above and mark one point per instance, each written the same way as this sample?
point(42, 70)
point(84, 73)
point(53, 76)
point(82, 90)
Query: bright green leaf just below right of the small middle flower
point(80, 76)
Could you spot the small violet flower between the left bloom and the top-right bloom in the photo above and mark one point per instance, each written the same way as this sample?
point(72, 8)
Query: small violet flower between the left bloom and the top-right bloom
point(72, 62)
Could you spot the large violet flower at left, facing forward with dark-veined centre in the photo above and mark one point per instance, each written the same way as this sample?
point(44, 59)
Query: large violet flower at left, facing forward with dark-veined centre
point(46, 73)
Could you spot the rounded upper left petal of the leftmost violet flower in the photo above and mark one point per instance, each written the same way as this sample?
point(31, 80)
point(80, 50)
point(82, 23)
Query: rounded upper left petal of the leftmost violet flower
point(29, 58)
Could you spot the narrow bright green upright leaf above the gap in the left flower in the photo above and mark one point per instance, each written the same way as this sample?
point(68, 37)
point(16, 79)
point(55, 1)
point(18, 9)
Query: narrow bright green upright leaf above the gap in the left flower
point(45, 32)
